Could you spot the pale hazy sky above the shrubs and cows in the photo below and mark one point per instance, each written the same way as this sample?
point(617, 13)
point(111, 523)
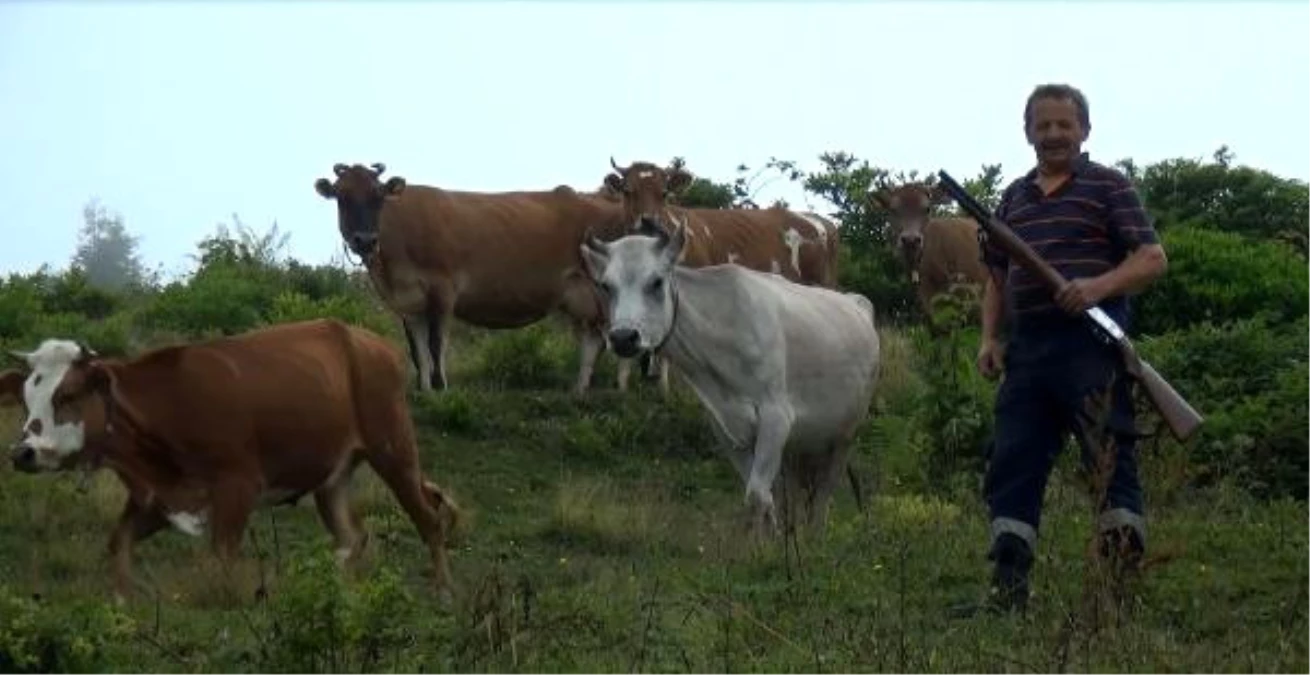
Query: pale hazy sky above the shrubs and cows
point(176, 116)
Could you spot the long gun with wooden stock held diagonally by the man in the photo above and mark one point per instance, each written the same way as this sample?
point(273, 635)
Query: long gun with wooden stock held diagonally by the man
point(1182, 419)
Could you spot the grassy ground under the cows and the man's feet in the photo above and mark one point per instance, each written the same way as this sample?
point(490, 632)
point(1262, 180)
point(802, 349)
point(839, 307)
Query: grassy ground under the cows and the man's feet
point(605, 537)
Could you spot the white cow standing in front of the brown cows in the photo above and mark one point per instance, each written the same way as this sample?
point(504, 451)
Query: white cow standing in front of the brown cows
point(780, 366)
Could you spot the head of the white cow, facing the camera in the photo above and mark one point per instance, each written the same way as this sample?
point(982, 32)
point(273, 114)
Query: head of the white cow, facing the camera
point(635, 276)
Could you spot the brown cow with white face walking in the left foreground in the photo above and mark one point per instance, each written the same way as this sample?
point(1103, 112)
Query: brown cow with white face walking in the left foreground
point(214, 431)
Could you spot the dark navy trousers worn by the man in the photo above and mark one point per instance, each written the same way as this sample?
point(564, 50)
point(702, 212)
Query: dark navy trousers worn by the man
point(1050, 372)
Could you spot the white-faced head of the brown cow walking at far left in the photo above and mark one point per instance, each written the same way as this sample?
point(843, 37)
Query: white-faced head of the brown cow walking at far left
point(60, 393)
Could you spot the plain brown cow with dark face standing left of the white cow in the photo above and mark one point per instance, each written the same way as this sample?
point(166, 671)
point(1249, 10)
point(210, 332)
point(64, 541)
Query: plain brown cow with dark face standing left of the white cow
point(493, 260)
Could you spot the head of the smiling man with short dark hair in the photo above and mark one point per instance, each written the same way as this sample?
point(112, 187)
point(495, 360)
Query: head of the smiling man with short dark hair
point(1057, 123)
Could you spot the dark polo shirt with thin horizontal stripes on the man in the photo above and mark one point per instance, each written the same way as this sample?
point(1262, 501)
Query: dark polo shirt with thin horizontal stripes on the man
point(1084, 229)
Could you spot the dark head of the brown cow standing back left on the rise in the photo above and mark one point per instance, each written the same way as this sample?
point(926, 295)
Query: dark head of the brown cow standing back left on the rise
point(360, 195)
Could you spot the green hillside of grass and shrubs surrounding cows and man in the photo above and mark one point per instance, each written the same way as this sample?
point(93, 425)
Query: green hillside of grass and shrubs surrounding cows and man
point(603, 531)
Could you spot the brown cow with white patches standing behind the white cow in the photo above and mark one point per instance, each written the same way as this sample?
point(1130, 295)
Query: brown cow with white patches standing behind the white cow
point(802, 247)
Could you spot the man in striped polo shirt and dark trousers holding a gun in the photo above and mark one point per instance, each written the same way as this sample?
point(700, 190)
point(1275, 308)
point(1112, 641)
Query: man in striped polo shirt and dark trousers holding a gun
point(1088, 222)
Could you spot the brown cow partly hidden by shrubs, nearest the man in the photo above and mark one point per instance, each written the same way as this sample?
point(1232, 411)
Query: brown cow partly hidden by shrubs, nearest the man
point(937, 251)
